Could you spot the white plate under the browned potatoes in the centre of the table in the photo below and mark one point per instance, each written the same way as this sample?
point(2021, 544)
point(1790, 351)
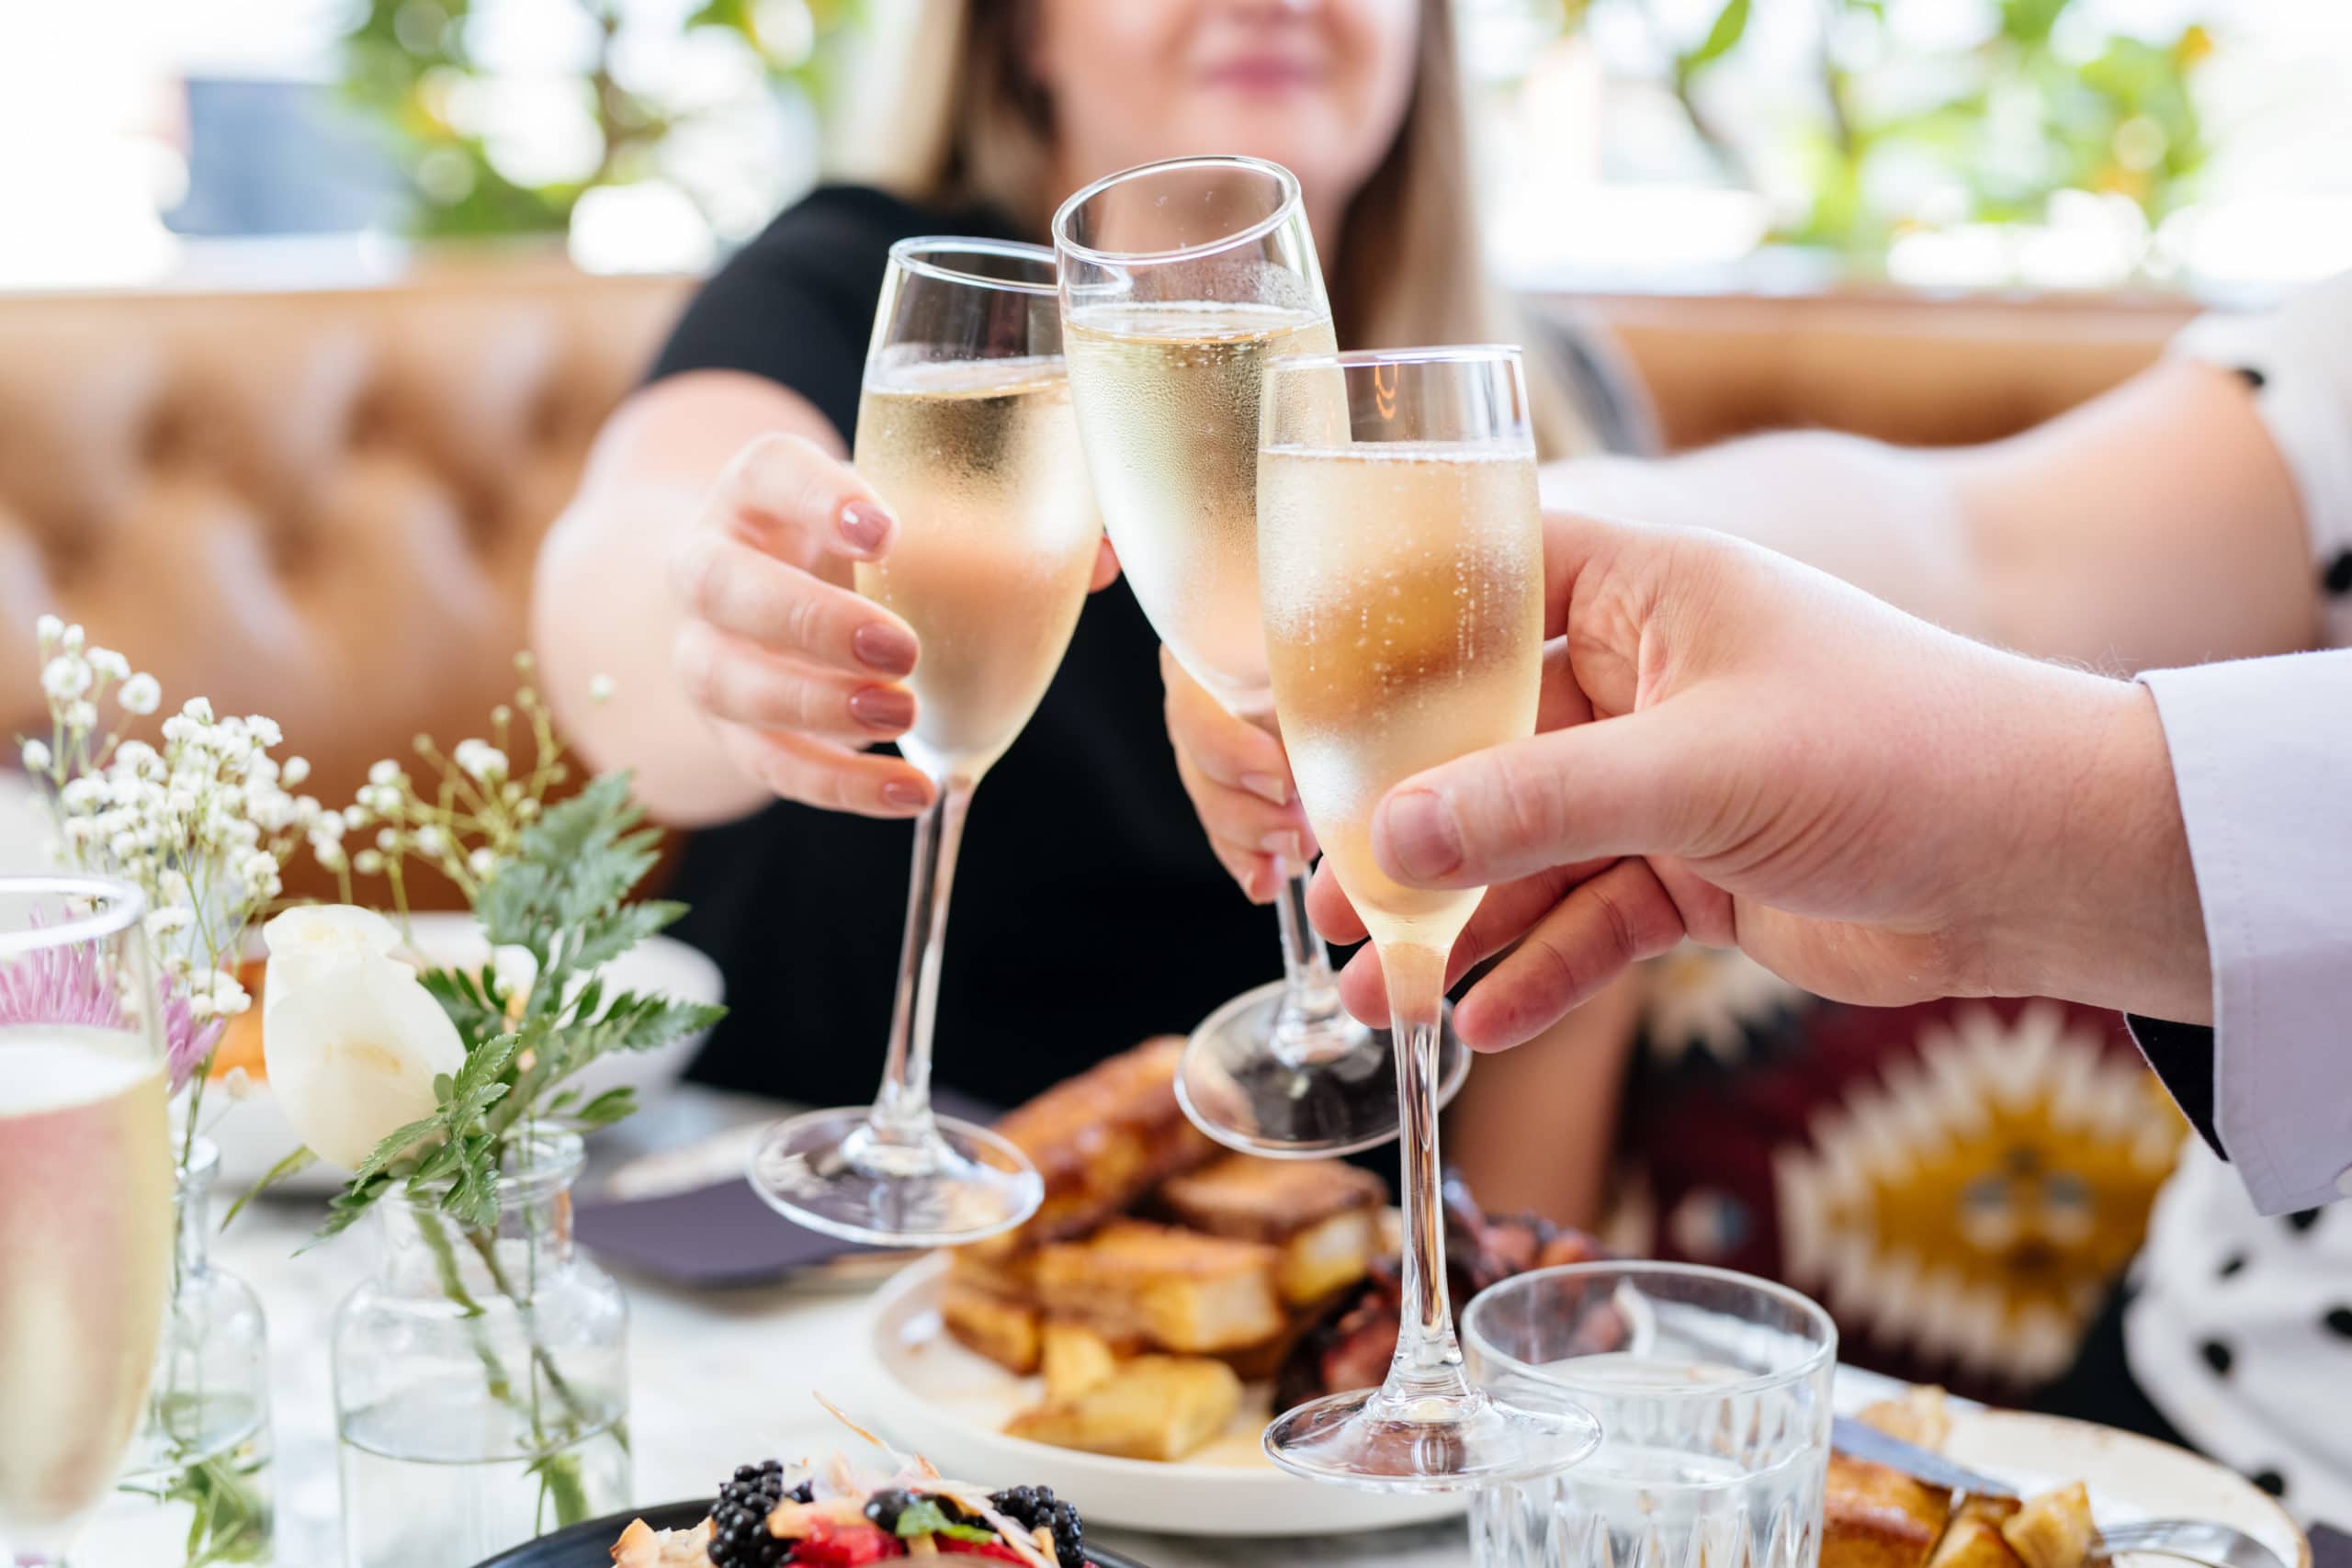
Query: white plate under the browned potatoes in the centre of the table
point(951, 1407)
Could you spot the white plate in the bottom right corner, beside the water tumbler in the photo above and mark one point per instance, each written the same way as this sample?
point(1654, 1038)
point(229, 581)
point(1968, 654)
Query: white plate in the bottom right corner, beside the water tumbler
point(2130, 1477)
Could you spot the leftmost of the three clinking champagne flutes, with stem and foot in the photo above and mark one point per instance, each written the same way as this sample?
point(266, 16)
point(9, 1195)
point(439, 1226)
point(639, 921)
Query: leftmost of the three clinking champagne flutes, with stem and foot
point(965, 429)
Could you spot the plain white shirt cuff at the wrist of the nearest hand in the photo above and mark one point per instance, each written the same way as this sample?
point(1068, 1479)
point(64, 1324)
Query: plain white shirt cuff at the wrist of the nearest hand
point(2264, 760)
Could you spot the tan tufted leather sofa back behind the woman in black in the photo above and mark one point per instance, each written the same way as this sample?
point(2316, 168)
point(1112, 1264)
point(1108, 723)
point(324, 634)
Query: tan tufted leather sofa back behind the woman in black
point(323, 507)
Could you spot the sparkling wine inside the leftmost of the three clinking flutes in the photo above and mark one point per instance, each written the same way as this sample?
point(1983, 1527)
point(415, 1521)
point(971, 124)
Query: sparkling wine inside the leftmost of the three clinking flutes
point(996, 544)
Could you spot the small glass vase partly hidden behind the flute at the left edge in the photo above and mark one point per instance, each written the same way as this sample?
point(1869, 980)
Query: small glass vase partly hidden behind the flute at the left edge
point(196, 1485)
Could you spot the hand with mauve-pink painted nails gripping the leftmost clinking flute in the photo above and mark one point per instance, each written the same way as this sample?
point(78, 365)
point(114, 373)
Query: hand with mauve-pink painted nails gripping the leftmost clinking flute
point(784, 659)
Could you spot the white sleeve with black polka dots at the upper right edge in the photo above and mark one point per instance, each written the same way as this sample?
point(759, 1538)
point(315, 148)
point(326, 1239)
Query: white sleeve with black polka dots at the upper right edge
point(2299, 363)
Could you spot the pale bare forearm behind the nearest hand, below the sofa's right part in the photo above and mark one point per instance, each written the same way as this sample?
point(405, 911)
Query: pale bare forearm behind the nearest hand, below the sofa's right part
point(1887, 521)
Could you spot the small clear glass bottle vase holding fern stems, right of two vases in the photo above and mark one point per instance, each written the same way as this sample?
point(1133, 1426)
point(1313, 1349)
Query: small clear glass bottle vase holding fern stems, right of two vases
point(481, 1376)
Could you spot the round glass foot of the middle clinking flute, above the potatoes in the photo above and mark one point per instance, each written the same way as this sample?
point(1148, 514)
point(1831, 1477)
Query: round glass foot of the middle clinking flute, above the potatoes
point(1339, 1097)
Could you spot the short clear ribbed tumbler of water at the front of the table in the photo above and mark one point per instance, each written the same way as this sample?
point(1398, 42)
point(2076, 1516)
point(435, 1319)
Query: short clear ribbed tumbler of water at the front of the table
point(1713, 1395)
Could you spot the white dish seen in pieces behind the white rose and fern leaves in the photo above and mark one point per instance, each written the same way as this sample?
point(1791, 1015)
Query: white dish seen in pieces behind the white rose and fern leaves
point(255, 1137)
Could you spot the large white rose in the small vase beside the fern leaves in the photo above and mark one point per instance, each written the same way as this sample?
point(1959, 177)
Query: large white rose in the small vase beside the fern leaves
point(352, 1038)
